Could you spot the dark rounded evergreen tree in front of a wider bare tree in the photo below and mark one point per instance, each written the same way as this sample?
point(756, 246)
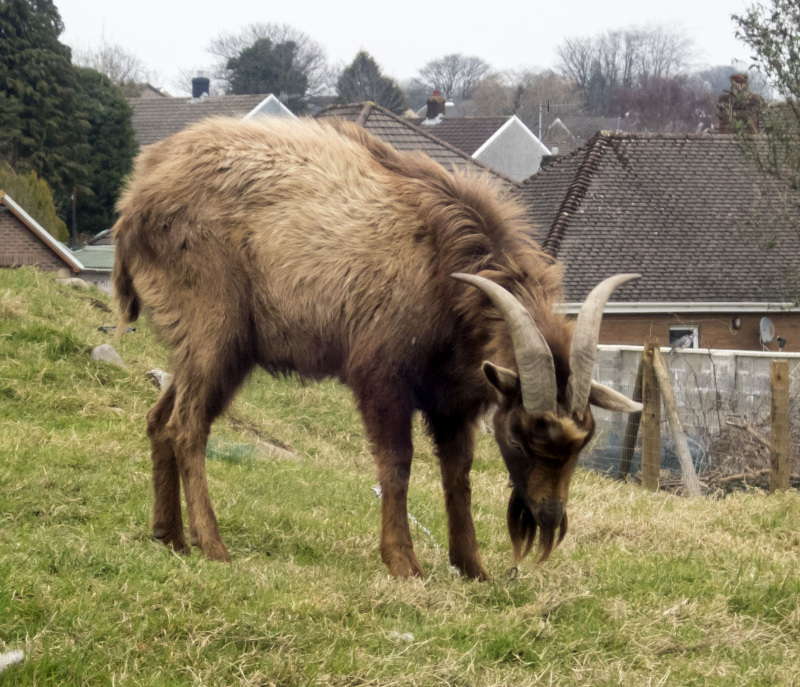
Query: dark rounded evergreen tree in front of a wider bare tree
point(267, 67)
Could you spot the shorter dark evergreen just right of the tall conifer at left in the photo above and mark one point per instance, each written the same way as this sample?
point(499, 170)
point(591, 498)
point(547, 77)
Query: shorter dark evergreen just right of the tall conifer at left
point(113, 148)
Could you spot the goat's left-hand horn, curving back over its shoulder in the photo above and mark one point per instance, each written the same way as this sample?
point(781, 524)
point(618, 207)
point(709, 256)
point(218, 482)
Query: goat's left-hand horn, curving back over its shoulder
point(537, 373)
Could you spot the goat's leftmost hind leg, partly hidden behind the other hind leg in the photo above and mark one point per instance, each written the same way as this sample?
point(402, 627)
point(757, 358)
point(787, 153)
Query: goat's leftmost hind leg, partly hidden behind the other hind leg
point(167, 521)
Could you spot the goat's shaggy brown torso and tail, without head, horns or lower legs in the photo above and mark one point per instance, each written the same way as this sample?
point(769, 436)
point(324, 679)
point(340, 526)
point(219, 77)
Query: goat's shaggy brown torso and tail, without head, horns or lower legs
point(329, 249)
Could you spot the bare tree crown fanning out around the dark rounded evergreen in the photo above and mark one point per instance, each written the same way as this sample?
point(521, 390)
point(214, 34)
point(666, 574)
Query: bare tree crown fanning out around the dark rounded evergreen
point(310, 56)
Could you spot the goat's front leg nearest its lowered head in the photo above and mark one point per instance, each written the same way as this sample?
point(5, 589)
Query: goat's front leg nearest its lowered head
point(455, 444)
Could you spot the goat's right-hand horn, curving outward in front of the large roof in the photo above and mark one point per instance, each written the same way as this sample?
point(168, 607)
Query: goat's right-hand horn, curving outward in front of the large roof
point(584, 341)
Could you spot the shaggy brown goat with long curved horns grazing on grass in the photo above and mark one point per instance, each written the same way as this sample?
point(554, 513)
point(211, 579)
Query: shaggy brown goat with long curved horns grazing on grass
point(313, 248)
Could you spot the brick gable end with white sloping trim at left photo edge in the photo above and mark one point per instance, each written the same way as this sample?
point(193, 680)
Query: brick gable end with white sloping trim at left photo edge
point(23, 241)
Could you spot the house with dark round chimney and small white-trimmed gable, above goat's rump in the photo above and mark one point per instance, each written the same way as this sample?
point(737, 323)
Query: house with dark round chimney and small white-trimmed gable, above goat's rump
point(154, 119)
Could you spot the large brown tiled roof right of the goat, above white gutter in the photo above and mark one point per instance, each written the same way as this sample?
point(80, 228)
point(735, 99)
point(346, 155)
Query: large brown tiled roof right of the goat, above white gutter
point(689, 212)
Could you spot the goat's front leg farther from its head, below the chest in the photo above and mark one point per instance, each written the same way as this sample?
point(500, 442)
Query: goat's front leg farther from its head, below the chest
point(389, 430)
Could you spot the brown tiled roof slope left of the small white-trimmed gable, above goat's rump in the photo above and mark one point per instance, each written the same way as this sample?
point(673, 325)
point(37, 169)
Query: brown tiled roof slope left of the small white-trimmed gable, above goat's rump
point(156, 118)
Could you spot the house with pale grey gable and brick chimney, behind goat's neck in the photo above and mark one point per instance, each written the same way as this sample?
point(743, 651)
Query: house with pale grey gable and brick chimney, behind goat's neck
point(503, 143)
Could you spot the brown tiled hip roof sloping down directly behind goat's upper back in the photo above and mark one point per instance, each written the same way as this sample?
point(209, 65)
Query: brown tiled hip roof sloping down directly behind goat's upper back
point(403, 135)
